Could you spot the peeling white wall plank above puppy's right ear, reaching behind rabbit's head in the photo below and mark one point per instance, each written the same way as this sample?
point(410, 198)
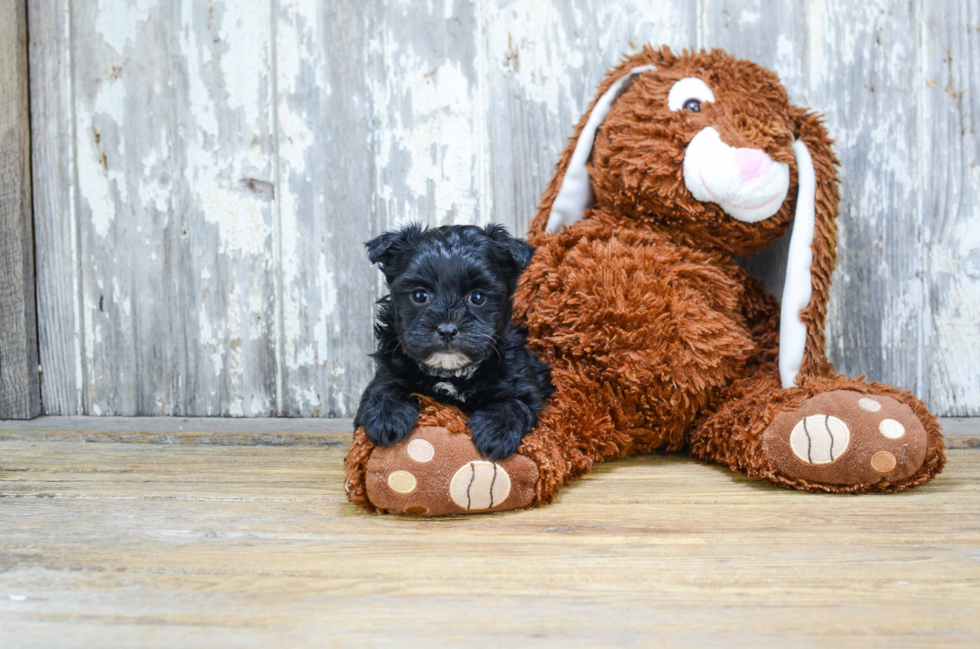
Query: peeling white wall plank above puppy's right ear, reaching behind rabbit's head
point(544, 62)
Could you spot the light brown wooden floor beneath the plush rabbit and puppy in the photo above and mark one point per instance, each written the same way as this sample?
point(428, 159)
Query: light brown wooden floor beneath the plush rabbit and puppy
point(220, 534)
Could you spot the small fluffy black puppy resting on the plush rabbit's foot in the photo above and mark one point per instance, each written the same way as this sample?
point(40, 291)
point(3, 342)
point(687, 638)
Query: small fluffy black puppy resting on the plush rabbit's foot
point(445, 331)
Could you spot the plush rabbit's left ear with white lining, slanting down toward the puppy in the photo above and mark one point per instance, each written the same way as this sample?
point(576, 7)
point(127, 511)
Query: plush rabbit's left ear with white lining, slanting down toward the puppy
point(569, 193)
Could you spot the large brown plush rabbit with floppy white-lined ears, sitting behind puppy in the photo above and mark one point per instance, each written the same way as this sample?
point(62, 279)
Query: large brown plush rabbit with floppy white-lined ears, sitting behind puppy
point(657, 339)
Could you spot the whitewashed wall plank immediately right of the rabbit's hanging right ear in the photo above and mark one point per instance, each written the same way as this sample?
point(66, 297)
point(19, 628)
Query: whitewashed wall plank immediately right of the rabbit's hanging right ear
point(865, 71)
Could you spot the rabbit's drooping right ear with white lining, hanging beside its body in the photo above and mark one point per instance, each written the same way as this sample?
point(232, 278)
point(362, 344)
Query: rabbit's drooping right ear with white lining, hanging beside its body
point(812, 254)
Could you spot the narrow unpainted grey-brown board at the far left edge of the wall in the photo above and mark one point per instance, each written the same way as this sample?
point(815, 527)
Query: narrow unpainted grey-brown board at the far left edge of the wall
point(20, 393)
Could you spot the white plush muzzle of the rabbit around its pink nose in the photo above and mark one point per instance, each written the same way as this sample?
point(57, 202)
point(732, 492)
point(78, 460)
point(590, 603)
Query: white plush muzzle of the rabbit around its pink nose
point(712, 176)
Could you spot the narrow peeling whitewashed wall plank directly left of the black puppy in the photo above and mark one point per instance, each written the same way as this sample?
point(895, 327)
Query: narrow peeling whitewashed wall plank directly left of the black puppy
point(327, 205)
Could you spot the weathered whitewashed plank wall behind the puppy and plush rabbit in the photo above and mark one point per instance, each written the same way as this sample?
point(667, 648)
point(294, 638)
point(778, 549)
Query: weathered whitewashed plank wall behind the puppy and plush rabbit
point(205, 173)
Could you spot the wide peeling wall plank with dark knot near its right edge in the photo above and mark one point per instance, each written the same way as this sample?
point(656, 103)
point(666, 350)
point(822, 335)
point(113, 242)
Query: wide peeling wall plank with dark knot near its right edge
point(176, 207)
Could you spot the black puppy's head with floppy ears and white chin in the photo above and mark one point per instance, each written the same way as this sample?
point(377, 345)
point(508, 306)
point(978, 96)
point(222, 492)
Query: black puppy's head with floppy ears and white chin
point(451, 289)
